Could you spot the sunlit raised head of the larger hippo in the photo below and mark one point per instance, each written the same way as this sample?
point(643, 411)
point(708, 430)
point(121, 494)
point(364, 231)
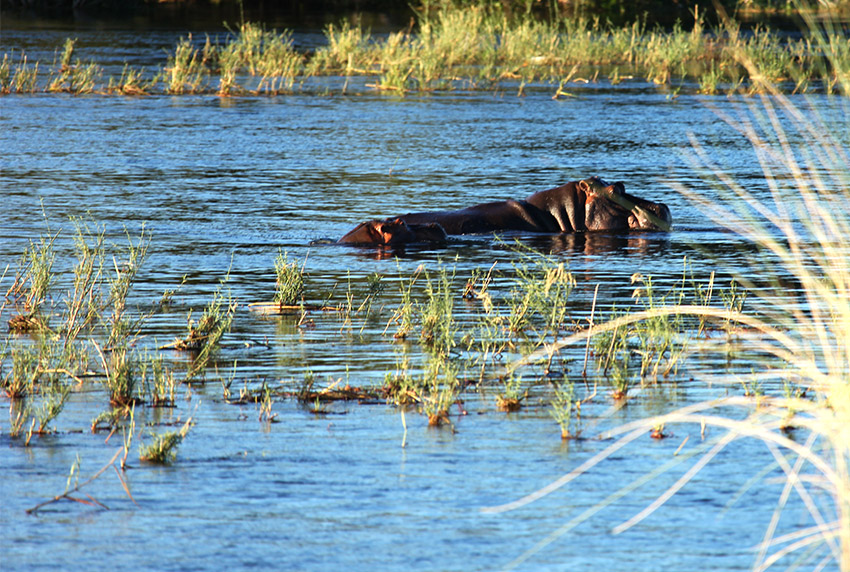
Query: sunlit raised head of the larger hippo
point(610, 207)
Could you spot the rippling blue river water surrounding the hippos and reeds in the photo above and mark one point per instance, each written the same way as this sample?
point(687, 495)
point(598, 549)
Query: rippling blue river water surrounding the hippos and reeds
point(223, 185)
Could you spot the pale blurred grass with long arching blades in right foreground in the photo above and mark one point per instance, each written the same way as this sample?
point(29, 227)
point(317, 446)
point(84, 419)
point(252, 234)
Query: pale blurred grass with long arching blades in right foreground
point(801, 227)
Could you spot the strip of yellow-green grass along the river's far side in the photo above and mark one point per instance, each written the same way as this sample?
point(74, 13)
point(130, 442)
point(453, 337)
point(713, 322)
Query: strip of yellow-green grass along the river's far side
point(471, 48)
